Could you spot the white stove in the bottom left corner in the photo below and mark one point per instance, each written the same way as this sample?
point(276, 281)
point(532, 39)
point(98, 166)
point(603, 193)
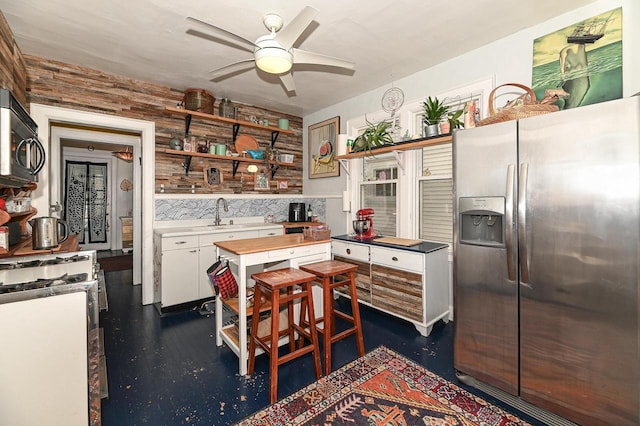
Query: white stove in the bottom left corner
point(49, 334)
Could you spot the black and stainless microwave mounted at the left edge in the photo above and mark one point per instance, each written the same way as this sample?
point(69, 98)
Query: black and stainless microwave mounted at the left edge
point(22, 155)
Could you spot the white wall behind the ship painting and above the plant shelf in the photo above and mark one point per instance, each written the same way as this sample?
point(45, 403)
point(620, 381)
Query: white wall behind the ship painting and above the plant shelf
point(507, 60)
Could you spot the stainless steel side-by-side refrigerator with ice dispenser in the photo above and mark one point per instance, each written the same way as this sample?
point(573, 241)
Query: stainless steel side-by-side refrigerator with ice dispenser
point(546, 254)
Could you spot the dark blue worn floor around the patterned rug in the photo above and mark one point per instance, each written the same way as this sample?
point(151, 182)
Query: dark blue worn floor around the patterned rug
point(168, 370)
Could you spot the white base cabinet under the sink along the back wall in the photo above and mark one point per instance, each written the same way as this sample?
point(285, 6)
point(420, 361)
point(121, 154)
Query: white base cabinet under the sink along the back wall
point(181, 263)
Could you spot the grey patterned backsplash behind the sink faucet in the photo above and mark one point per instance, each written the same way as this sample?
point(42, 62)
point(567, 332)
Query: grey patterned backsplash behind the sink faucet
point(189, 209)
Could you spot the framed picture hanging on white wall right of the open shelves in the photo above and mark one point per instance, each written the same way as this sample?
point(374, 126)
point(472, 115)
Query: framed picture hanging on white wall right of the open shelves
point(322, 141)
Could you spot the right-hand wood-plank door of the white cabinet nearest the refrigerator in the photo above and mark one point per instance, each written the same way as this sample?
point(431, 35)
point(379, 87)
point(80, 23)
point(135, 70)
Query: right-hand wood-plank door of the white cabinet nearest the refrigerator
point(397, 291)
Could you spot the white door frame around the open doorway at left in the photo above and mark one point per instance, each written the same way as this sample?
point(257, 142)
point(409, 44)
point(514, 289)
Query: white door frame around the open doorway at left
point(143, 200)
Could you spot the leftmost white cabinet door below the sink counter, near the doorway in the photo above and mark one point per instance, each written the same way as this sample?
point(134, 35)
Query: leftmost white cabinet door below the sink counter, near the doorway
point(180, 281)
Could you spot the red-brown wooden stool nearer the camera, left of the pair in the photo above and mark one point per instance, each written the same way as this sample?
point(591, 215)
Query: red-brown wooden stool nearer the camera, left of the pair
point(270, 283)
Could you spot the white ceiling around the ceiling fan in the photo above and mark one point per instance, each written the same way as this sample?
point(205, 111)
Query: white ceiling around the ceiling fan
point(387, 40)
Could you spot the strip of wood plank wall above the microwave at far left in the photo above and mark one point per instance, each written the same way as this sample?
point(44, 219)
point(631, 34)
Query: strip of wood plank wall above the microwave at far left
point(13, 70)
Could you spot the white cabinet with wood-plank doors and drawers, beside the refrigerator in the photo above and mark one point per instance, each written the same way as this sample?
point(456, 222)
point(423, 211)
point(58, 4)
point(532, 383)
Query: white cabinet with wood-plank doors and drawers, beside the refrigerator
point(408, 284)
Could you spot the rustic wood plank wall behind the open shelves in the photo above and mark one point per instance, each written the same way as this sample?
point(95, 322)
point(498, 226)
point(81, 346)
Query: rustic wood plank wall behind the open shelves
point(77, 87)
